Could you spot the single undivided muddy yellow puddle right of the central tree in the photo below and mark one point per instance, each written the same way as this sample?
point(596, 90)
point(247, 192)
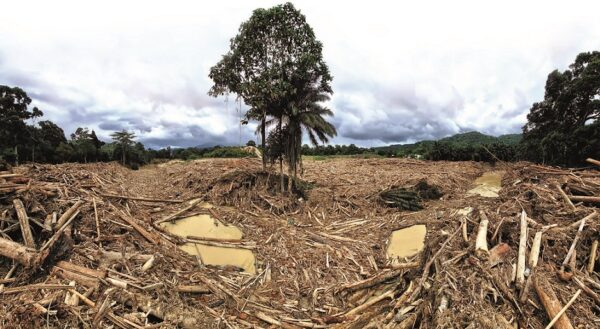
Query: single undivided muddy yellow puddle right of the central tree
point(406, 242)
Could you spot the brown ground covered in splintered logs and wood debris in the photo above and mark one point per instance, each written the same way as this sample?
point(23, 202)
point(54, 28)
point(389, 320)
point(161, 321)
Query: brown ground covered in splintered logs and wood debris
point(320, 254)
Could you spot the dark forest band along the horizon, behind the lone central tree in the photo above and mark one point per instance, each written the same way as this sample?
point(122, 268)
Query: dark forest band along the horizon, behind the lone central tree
point(562, 129)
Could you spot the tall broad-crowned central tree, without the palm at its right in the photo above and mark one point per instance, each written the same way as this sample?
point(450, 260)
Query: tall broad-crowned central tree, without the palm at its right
point(273, 55)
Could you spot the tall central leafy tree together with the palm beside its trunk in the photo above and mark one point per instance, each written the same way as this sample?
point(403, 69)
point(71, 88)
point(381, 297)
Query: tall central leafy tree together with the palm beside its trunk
point(275, 65)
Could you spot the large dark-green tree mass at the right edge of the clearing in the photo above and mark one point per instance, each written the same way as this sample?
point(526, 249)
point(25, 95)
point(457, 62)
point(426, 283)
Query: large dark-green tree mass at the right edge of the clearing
point(563, 128)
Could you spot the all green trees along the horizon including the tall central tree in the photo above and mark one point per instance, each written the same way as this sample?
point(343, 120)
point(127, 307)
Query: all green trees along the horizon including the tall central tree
point(276, 67)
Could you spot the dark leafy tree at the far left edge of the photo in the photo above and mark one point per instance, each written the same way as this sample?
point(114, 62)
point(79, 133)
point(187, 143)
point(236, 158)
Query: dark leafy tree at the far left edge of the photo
point(14, 111)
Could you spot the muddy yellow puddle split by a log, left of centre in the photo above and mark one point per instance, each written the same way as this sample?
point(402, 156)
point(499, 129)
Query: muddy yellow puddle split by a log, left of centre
point(205, 226)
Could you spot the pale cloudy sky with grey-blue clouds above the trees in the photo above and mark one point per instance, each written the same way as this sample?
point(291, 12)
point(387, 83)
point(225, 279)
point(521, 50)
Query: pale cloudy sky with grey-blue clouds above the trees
point(403, 70)
